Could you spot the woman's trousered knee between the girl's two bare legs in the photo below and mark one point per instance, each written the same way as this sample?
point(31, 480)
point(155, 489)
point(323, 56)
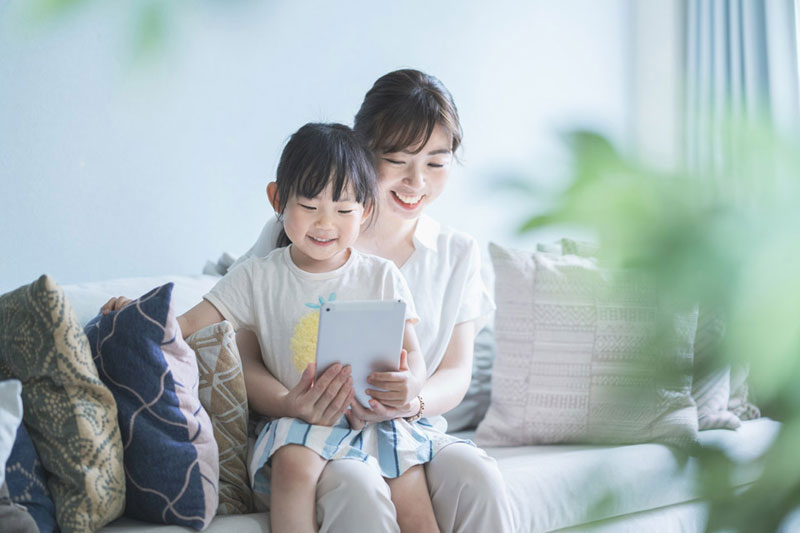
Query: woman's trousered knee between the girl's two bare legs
point(353, 496)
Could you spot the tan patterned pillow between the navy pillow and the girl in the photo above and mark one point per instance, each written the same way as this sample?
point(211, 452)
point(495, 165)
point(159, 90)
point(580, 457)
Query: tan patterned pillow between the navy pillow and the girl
point(222, 393)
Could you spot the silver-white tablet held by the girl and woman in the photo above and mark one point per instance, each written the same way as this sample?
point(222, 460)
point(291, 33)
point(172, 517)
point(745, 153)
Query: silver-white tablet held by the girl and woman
point(367, 335)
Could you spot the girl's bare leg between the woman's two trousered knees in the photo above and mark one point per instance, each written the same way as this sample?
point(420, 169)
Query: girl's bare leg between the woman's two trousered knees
point(412, 501)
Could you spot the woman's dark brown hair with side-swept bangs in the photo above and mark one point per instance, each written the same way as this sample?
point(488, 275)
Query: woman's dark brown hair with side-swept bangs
point(401, 110)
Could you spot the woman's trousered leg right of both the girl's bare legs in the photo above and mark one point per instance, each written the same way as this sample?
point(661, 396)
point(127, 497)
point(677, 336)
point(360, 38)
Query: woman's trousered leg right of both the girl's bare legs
point(467, 491)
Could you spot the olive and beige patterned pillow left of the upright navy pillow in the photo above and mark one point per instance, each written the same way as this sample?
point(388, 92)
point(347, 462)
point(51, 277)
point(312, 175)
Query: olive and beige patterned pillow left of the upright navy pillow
point(70, 415)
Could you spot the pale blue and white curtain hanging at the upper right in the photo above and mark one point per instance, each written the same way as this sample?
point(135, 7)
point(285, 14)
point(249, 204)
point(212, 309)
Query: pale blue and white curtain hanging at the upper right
point(741, 68)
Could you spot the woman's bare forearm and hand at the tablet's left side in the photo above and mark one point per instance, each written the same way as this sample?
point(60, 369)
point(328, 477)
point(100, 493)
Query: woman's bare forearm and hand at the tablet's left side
point(321, 402)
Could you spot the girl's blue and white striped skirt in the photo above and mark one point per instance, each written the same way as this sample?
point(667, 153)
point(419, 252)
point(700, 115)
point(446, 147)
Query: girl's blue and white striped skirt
point(392, 446)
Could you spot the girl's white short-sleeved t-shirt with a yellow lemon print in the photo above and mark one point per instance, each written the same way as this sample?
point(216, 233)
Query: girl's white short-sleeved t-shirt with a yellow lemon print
point(280, 302)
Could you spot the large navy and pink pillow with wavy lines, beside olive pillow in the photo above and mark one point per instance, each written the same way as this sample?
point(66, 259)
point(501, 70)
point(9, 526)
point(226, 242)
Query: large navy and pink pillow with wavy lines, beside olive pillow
point(170, 454)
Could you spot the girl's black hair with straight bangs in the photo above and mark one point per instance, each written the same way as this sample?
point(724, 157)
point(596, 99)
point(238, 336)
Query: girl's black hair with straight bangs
point(318, 154)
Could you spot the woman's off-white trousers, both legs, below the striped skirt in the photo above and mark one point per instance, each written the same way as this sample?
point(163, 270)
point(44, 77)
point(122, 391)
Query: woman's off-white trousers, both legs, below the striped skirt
point(467, 491)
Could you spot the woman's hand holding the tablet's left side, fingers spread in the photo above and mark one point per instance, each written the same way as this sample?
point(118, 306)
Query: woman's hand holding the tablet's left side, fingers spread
point(321, 403)
